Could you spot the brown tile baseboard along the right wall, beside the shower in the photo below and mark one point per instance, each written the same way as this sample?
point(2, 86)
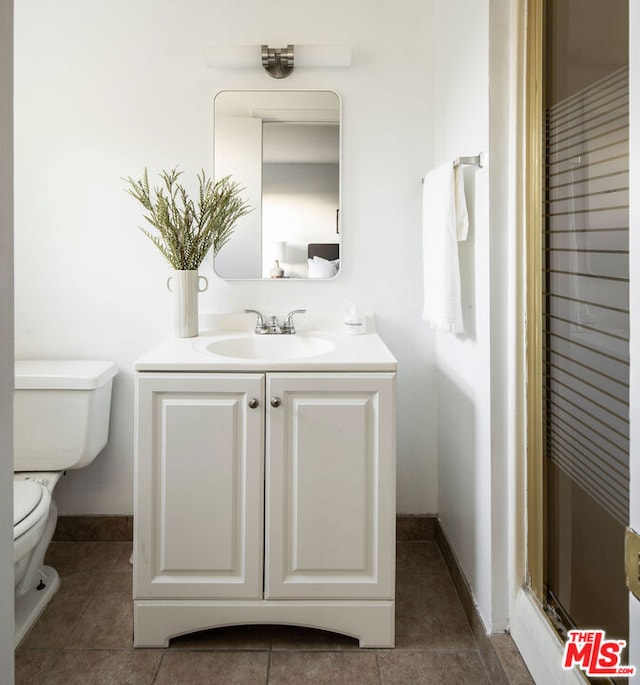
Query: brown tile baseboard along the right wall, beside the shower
point(498, 651)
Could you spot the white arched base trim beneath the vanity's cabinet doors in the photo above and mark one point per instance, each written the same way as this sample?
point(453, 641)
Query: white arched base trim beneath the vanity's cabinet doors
point(157, 621)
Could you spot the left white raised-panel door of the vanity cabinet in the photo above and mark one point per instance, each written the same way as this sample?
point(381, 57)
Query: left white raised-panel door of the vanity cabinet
point(199, 486)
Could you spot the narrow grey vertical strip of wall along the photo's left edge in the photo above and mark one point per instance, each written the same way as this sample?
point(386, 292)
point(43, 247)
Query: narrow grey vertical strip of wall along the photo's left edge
point(6, 342)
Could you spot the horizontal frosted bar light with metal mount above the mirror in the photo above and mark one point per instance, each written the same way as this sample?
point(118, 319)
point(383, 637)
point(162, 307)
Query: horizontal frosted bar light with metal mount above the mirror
point(278, 62)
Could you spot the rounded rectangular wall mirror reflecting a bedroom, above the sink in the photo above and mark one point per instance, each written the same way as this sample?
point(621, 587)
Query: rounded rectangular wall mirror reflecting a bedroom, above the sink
point(284, 148)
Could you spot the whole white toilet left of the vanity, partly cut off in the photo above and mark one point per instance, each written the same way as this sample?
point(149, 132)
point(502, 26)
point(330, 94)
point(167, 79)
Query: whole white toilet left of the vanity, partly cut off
point(61, 421)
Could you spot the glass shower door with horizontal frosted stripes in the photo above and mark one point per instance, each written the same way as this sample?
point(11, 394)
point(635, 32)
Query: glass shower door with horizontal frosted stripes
point(586, 317)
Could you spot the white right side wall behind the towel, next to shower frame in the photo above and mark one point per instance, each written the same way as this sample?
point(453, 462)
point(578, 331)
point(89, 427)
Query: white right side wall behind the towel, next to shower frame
point(472, 115)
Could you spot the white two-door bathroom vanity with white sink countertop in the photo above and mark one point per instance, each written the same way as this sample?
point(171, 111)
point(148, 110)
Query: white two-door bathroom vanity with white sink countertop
point(265, 484)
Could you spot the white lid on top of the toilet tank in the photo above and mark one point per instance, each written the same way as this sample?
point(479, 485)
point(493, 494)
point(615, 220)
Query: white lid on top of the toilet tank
point(61, 374)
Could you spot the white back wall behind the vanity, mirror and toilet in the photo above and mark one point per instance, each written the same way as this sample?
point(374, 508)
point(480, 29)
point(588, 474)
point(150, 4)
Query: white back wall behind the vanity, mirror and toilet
point(105, 89)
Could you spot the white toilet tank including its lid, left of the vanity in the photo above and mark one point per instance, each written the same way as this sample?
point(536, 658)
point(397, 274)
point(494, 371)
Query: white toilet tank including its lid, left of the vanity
point(61, 413)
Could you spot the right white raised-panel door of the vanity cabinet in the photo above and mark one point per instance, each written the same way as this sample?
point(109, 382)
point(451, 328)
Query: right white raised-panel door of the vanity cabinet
point(330, 486)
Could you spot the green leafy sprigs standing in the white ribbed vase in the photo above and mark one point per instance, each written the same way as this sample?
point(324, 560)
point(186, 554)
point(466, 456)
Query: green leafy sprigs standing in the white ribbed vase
point(186, 231)
